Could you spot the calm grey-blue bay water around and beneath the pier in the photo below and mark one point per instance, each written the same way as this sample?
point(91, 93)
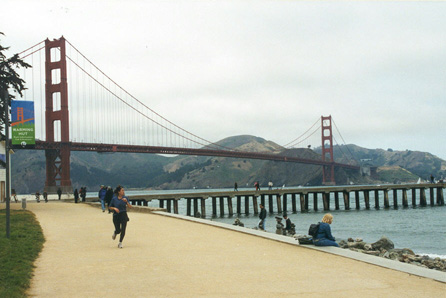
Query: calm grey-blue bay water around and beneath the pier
point(422, 229)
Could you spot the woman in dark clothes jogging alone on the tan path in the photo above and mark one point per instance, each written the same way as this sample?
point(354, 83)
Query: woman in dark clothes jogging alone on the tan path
point(119, 206)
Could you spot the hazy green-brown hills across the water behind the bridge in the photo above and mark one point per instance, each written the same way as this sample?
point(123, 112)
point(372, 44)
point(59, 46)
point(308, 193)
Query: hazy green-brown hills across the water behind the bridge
point(137, 170)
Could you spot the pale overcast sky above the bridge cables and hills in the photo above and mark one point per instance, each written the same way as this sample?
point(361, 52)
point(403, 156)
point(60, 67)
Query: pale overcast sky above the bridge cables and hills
point(264, 68)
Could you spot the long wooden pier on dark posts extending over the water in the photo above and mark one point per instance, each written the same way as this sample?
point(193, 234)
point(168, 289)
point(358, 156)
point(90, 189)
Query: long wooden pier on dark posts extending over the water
point(277, 199)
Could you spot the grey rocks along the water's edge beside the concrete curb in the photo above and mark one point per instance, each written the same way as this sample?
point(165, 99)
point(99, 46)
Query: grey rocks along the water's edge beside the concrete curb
point(383, 248)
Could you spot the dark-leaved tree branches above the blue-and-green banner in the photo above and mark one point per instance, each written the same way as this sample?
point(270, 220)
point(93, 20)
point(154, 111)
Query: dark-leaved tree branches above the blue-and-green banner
point(9, 78)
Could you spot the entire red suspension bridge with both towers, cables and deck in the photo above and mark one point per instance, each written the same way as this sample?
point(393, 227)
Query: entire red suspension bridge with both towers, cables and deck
point(79, 108)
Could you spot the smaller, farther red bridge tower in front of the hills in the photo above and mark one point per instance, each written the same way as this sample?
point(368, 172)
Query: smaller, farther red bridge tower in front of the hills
point(327, 149)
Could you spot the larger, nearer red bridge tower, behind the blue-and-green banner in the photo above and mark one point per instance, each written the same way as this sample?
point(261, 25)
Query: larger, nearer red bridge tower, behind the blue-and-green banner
point(56, 113)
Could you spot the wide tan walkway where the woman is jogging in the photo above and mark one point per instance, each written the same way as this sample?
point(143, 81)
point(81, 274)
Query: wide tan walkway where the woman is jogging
point(170, 257)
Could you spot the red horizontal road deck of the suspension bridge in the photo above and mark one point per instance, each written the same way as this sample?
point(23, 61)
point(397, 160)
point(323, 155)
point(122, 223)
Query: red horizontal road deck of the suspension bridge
point(103, 148)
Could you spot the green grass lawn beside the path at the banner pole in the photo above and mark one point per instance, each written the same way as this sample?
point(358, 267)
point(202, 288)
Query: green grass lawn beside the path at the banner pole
point(18, 253)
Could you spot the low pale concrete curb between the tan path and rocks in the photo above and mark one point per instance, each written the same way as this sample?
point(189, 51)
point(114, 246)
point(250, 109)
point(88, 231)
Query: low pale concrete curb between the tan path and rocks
point(382, 262)
